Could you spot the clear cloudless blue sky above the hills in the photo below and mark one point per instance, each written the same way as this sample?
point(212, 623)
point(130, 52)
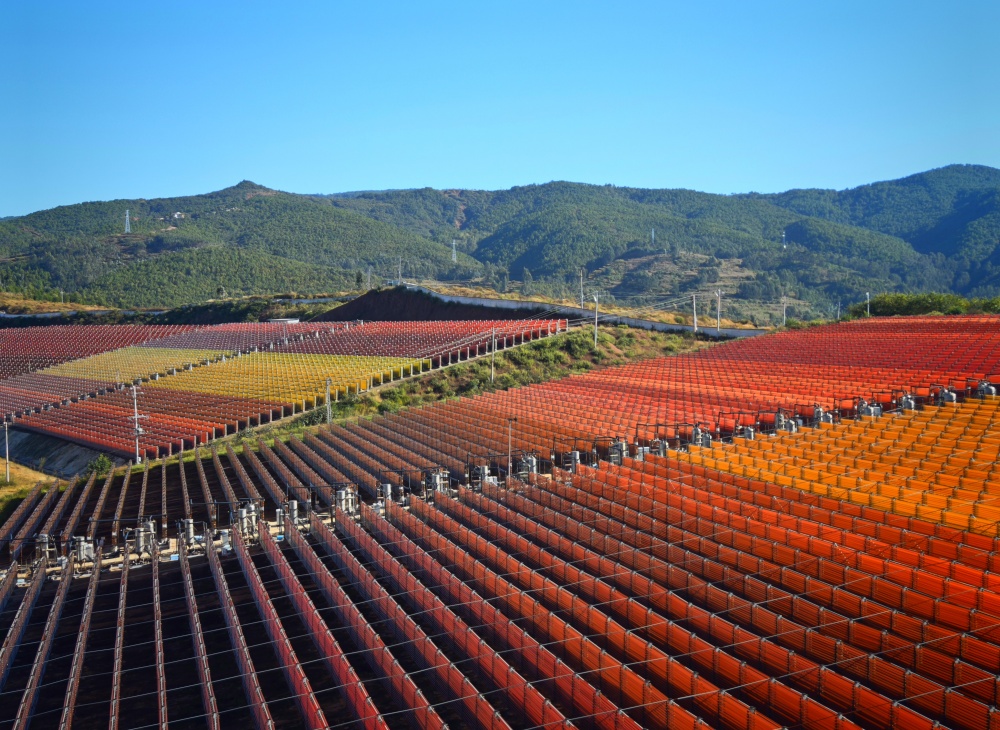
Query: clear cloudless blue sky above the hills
point(103, 100)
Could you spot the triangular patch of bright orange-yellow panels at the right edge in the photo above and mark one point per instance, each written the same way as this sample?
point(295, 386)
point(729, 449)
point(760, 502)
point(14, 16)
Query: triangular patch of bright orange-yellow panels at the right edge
point(939, 464)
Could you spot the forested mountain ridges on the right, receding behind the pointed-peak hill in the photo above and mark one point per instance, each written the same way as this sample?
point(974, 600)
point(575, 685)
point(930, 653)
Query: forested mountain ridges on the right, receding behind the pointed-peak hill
point(939, 230)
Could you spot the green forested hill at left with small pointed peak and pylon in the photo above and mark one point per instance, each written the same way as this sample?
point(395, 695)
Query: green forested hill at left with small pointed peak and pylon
point(246, 240)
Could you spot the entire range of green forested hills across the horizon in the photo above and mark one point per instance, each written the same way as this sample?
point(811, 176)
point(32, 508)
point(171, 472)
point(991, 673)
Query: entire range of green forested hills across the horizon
point(935, 231)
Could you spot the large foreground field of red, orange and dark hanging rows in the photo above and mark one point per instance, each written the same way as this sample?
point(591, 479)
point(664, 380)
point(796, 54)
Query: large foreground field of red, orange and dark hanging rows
point(797, 530)
